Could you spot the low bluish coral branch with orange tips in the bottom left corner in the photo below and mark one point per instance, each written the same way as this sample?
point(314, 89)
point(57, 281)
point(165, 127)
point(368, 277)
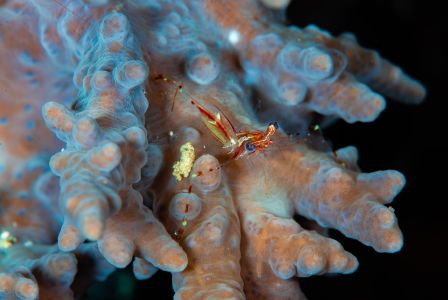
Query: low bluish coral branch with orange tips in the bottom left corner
point(42, 272)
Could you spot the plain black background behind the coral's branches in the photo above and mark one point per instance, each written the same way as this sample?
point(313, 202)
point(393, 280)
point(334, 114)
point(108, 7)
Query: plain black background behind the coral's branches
point(411, 139)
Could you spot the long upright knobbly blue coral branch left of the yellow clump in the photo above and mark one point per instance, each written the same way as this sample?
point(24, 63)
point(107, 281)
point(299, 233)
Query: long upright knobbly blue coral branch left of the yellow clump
point(106, 149)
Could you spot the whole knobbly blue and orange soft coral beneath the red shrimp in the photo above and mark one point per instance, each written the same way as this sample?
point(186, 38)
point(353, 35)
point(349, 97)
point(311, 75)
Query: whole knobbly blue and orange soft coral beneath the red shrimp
point(122, 78)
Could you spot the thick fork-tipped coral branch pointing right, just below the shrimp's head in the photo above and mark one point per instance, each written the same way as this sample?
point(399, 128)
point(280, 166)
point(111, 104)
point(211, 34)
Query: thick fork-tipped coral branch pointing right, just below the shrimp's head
point(324, 190)
